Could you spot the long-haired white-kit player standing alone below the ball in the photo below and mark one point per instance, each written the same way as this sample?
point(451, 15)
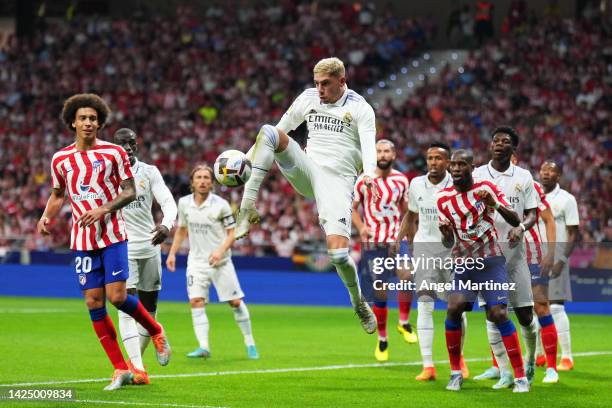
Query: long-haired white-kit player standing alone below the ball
point(208, 220)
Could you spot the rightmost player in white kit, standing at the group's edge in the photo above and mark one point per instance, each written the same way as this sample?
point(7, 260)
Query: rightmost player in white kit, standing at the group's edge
point(565, 211)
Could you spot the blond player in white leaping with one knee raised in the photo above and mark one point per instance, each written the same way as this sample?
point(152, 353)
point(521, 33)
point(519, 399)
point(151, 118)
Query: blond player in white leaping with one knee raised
point(341, 143)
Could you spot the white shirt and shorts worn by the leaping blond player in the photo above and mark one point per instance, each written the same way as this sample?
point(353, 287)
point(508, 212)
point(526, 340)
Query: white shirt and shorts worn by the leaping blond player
point(340, 145)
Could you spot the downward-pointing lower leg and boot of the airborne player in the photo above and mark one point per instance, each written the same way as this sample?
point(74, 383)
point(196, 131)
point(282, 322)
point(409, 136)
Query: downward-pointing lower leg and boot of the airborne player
point(346, 268)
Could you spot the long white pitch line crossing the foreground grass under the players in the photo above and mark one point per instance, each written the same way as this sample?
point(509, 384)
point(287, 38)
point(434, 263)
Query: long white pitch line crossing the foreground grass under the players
point(281, 370)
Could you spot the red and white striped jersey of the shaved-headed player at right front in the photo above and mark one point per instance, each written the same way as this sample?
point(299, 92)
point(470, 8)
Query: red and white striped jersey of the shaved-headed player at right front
point(472, 221)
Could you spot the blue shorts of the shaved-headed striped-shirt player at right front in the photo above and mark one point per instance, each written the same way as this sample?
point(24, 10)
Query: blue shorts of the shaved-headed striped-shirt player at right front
point(492, 272)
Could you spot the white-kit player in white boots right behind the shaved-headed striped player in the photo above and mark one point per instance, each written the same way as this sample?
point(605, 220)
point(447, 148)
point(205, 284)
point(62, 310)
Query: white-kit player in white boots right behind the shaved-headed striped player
point(517, 185)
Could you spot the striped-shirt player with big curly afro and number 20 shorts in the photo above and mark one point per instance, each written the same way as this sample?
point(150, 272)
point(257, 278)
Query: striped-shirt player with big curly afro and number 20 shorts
point(99, 180)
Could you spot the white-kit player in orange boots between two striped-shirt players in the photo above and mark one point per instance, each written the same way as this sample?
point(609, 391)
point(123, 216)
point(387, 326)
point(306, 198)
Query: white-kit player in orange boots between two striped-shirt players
point(420, 226)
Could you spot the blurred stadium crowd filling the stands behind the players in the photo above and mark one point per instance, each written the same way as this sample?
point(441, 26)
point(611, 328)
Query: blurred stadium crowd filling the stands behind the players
point(193, 86)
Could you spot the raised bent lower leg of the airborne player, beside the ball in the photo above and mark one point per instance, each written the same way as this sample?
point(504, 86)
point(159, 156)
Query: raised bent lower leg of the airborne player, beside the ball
point(262, 157)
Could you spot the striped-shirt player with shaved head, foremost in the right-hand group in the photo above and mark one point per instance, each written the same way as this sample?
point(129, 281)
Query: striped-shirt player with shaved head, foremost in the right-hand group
point(466, 211)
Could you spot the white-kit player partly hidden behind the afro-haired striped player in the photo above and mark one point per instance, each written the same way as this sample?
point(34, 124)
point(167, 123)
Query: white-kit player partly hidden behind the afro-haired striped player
point(144, 254)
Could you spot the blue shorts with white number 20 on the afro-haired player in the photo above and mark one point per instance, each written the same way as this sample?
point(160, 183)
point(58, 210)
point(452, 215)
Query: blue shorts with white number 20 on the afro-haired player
point(100, 267)
